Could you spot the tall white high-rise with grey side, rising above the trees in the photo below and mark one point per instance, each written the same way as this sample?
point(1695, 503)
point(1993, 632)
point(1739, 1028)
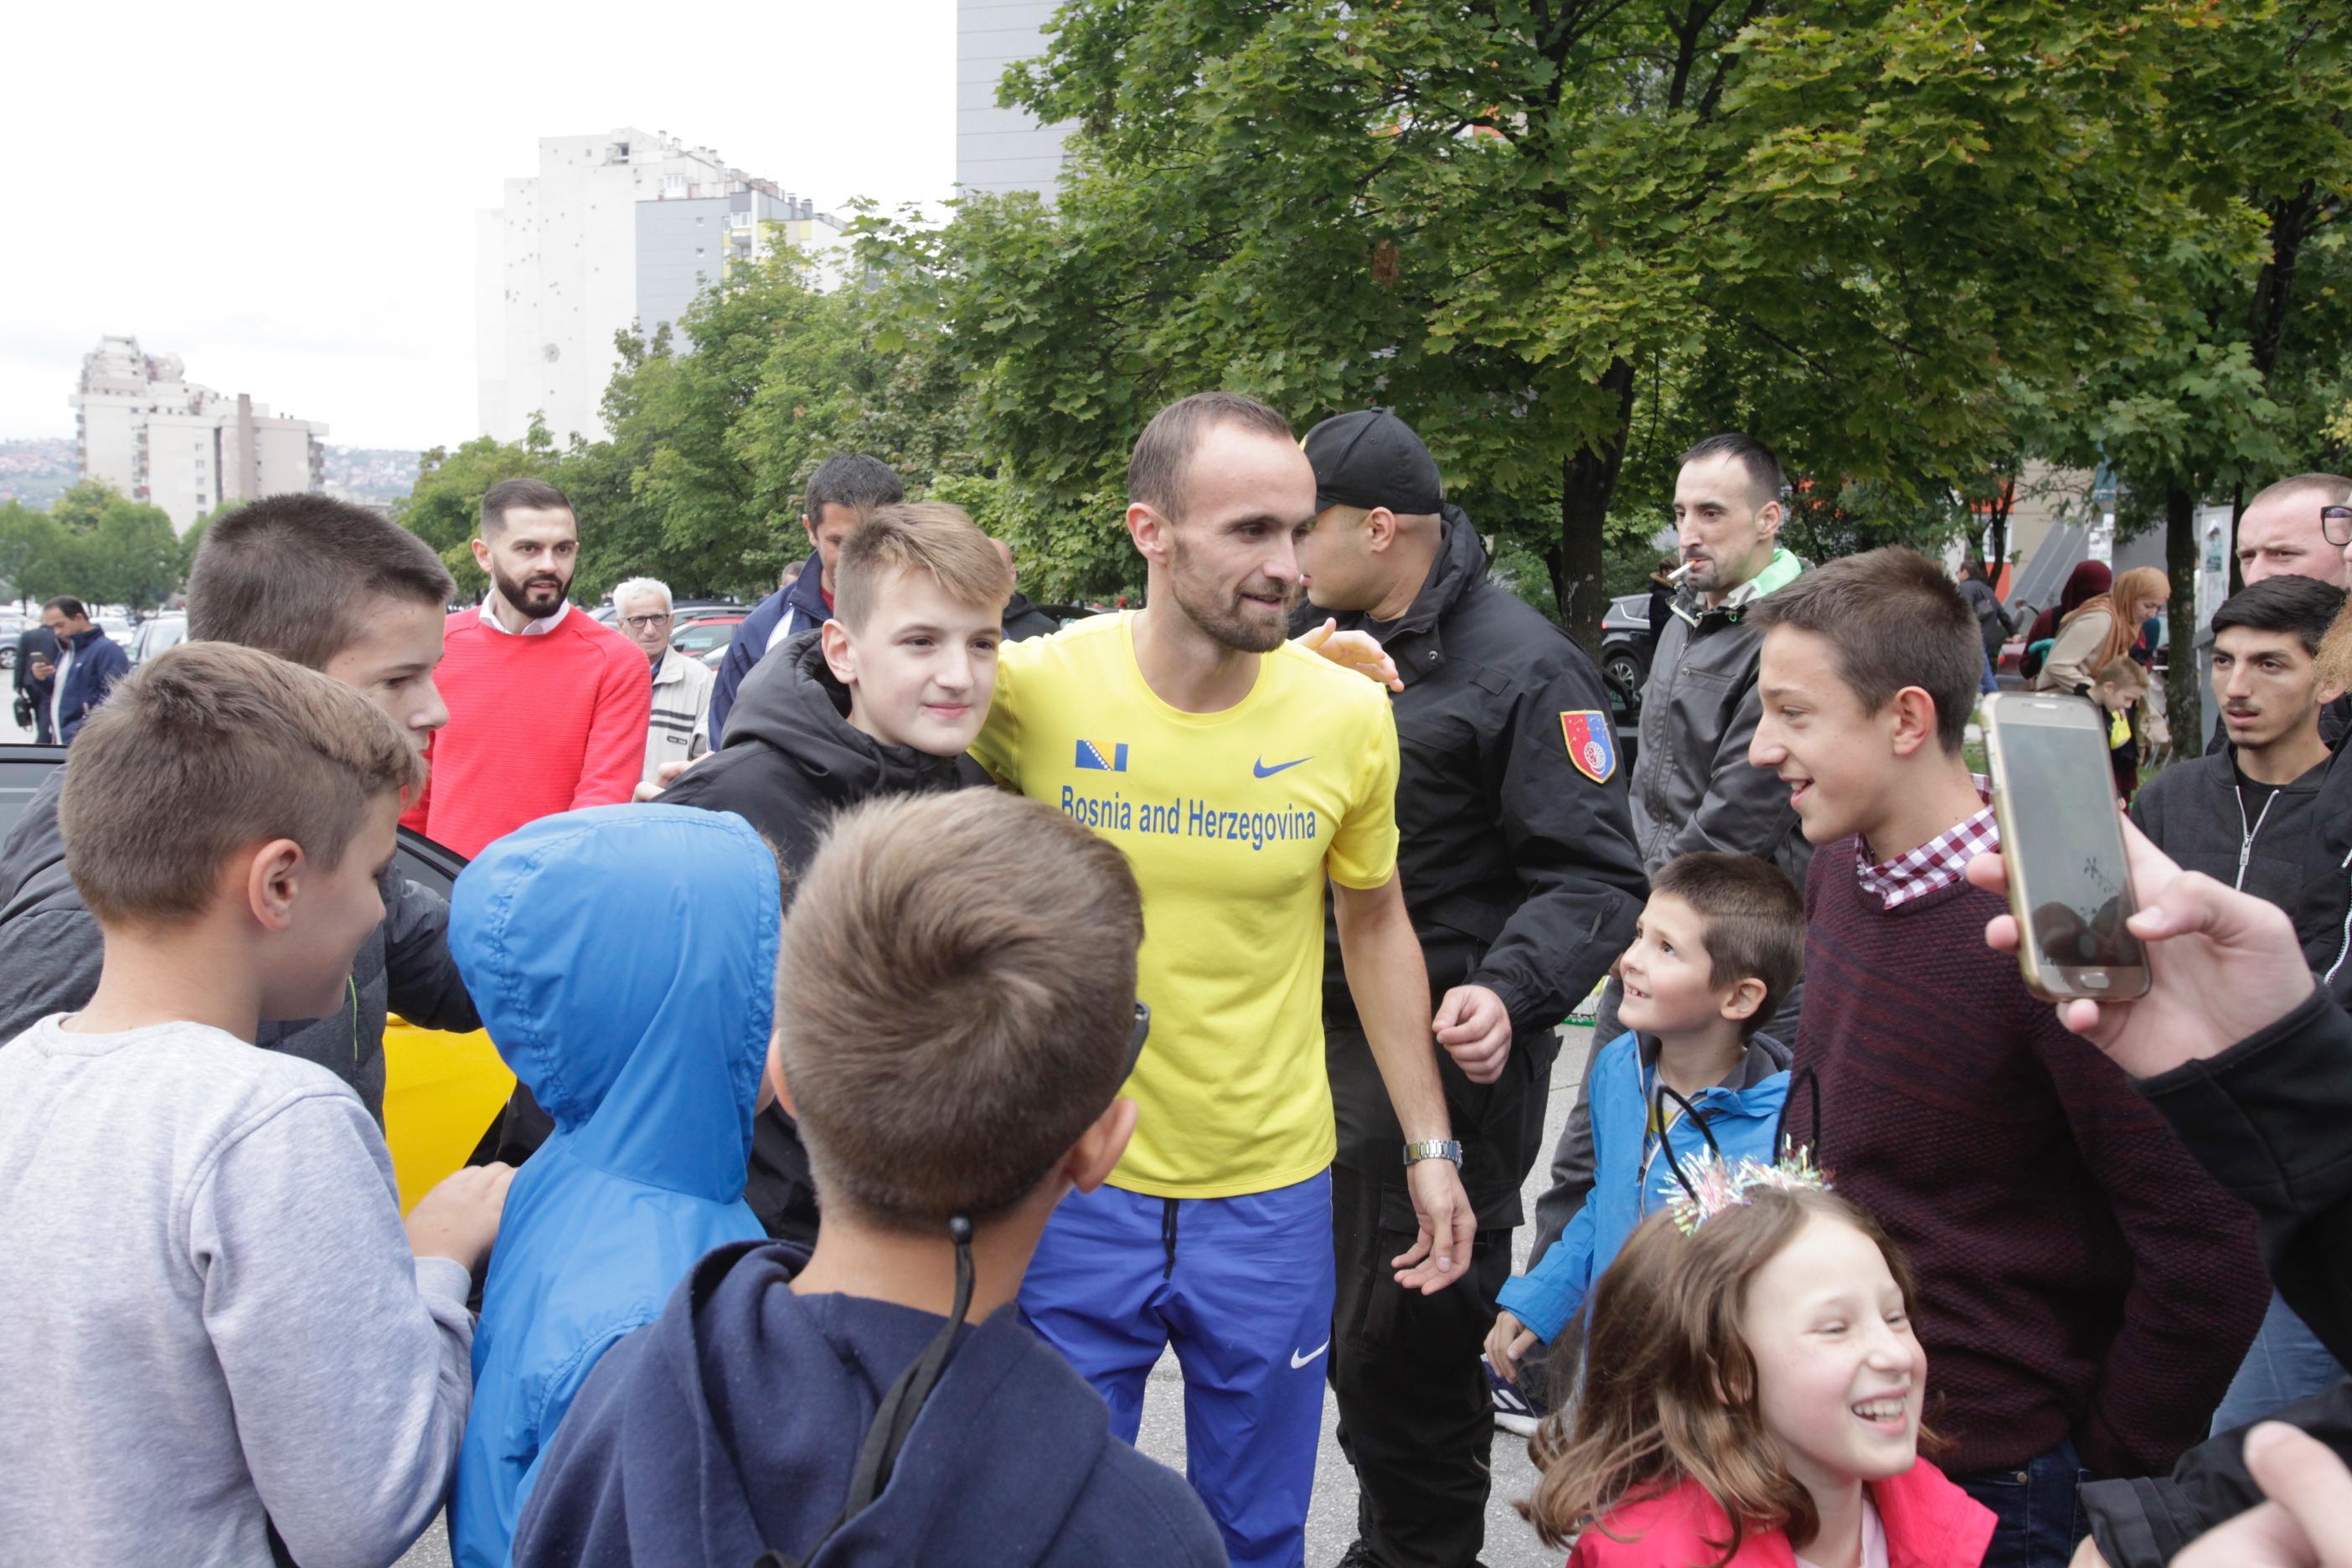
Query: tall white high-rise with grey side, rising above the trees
point(615, 232)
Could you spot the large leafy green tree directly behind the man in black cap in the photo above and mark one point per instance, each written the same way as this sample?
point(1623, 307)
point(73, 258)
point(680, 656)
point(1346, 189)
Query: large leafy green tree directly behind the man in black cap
point(1568, 236)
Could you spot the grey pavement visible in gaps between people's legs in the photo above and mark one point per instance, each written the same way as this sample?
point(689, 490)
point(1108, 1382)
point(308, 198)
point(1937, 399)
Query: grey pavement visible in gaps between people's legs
point(1511, 1543)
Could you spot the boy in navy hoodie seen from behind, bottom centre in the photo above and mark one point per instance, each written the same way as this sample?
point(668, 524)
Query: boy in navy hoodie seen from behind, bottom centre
point(954, 1054)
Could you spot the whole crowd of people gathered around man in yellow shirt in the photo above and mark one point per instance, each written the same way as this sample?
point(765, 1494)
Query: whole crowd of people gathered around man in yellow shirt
point(933, 1019)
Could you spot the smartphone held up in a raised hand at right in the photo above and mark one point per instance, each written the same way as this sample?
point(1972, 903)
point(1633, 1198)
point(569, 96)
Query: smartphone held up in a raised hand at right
point(2064, 843)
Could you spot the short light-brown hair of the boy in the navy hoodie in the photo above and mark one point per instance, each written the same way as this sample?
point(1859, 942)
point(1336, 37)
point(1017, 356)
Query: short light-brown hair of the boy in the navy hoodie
point(949, 1031)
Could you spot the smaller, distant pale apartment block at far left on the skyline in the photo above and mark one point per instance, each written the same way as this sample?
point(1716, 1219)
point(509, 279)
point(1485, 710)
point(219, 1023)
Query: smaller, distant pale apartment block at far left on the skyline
point(149, 431)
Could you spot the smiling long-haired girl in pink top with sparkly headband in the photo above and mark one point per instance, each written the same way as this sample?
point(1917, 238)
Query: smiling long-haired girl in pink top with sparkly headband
point(1753, 1395)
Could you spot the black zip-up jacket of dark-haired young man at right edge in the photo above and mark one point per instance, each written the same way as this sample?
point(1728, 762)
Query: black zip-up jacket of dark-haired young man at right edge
point(2196, 817)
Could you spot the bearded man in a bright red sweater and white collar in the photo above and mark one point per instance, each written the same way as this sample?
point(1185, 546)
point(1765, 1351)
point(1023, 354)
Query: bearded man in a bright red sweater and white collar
point(547, 709)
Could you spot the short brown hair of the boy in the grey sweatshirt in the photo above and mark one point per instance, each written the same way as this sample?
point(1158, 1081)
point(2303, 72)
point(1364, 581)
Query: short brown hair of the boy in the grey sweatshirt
point(213, 749)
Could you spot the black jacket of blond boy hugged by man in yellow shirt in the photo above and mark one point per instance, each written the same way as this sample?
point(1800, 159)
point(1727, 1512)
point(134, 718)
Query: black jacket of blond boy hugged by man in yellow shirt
point(791, 763)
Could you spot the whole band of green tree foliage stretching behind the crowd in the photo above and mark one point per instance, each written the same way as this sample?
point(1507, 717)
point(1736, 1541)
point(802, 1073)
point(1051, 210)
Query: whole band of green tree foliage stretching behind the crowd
point(1911, 243)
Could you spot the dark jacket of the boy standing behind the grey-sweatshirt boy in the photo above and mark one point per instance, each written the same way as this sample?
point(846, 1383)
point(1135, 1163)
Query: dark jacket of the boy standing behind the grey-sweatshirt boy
point(51, 958)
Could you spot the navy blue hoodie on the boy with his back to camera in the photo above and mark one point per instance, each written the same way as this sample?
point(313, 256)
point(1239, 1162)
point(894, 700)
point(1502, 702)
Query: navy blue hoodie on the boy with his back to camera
point(733, 1428)
